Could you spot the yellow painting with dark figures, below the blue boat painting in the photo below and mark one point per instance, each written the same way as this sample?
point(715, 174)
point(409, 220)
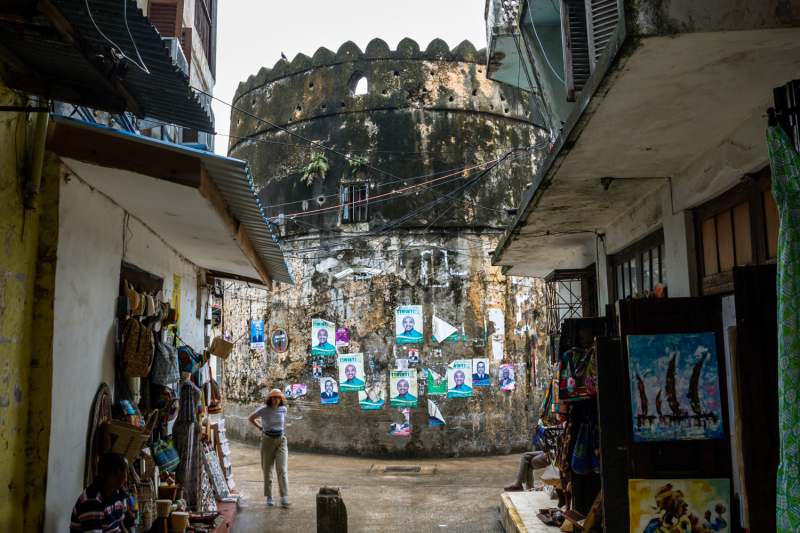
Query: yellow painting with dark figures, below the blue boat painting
point(679, 505)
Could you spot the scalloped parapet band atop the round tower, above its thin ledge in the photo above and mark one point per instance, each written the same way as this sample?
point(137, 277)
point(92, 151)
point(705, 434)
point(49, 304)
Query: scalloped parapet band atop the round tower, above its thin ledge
point(437, 78)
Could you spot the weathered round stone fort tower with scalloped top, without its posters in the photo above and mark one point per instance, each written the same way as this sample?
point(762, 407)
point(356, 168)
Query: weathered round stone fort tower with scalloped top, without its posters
point(426, 113)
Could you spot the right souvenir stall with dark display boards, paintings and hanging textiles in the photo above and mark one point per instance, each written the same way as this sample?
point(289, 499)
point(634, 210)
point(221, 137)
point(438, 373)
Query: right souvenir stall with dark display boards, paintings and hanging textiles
point(665, 417)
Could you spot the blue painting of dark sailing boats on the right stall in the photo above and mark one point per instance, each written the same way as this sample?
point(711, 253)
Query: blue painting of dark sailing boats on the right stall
point(674, 382)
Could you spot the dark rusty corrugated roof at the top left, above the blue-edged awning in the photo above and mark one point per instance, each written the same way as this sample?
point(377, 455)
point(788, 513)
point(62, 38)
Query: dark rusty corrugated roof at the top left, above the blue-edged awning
point(163, 94)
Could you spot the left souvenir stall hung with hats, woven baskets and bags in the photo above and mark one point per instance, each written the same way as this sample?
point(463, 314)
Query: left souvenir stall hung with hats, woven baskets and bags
point(159, 416)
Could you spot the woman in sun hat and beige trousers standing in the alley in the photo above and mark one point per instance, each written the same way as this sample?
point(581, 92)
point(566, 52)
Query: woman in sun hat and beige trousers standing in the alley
point(273, 444)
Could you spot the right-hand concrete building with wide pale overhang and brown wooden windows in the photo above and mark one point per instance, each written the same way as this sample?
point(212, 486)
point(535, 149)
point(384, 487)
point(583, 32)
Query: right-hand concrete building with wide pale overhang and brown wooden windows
point(666, 122)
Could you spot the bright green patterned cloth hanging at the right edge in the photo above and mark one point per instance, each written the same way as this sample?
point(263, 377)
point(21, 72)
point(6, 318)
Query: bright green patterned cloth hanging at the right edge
point(785, 165)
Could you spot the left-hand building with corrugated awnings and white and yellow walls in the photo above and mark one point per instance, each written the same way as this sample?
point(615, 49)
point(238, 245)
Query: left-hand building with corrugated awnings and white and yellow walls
point(87, 203)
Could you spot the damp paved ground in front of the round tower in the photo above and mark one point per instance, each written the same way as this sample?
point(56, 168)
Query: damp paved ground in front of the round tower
point(461, 494)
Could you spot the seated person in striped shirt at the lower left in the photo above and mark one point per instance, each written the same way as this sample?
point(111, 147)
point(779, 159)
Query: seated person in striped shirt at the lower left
point(103, 505)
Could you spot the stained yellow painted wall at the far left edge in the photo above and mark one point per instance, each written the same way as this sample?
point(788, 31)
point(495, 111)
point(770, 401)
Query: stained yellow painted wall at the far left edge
point(27, 280)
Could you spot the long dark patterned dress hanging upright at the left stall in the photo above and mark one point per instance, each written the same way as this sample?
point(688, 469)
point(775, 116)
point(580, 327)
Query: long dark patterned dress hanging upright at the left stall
point(185, 432)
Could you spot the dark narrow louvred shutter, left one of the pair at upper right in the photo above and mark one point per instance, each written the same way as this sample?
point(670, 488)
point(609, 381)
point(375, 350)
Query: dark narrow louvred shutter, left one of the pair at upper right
point(577, 63)
